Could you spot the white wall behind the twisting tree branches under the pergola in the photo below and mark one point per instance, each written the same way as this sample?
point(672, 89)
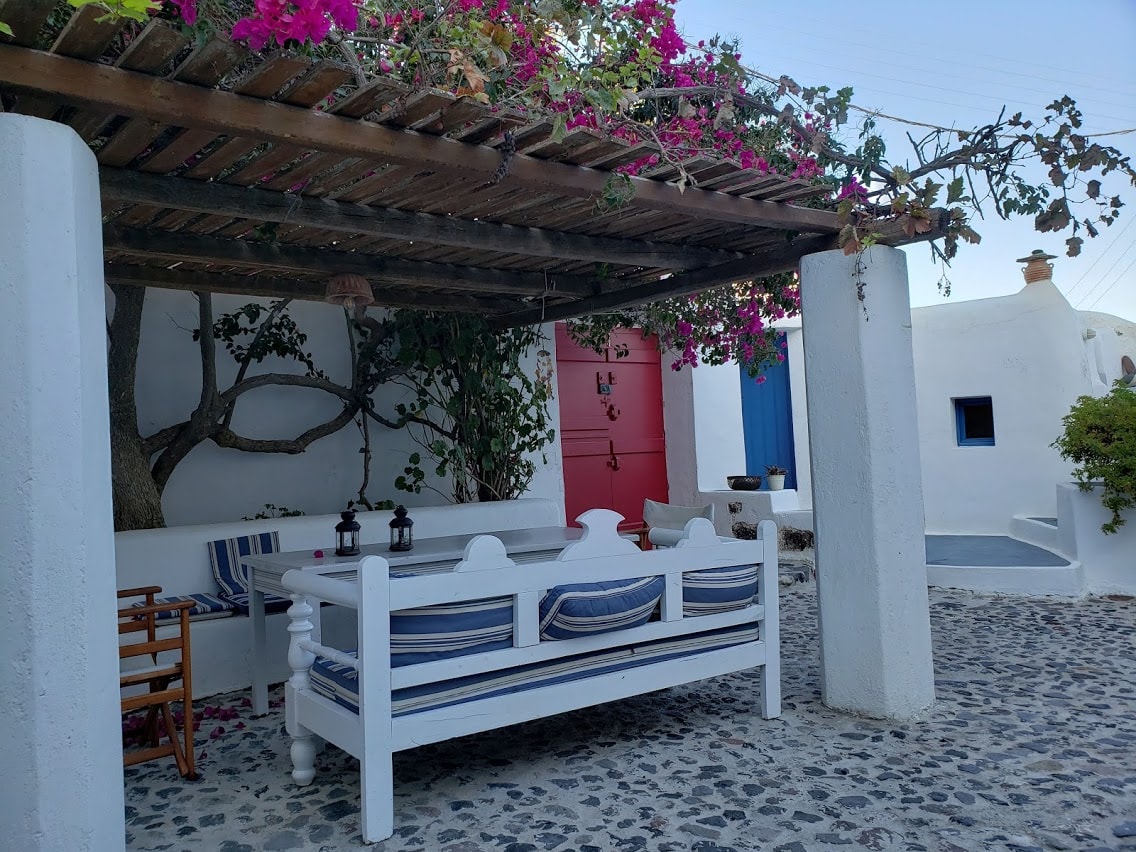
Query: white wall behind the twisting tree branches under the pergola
point(215, 485)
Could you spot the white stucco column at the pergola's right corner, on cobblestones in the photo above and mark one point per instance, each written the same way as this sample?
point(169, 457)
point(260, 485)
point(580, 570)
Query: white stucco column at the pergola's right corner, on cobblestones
point(867, 491)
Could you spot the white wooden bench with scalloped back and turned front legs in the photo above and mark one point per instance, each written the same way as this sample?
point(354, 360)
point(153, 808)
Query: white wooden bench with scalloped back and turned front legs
point(371, 709)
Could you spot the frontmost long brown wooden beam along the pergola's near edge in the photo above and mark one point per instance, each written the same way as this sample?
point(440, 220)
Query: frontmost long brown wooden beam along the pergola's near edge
point(130, 94)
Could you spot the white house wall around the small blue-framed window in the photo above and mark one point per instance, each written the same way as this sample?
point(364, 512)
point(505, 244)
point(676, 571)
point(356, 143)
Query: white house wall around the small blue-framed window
point(1024, 352)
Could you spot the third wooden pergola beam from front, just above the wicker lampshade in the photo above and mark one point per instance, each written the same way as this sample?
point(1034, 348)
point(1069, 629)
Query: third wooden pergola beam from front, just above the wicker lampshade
point(183, 247)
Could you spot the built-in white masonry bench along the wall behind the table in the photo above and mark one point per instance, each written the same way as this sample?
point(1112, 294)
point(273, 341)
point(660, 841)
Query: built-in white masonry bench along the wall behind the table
point(177, 559)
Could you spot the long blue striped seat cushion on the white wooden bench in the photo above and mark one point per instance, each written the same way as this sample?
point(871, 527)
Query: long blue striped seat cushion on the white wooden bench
point(341, 683)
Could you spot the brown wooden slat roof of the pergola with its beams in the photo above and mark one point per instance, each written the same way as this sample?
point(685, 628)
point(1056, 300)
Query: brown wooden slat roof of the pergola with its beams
point(230, 173)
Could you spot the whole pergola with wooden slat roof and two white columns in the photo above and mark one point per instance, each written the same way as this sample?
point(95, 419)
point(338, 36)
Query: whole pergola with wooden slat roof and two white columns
point(223, 172)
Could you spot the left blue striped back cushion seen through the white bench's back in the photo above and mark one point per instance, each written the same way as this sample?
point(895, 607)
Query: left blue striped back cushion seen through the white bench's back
point(450, 630)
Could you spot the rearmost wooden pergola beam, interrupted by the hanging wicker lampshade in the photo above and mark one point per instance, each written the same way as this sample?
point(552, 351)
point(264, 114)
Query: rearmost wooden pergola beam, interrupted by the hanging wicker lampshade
point(264, 287)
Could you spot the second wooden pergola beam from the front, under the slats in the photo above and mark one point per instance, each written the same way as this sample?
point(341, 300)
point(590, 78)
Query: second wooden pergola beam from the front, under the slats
point(179, 194)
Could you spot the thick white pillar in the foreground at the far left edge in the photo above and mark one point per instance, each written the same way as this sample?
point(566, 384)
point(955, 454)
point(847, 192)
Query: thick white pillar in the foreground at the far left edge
point(62, 783)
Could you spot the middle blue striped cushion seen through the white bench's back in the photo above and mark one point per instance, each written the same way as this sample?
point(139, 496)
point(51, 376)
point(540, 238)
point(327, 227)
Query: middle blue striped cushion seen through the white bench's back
point(587, 609)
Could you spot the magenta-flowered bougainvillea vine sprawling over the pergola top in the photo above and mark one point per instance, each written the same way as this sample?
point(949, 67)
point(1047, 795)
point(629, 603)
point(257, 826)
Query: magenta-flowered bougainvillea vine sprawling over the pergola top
point(624, 70)
